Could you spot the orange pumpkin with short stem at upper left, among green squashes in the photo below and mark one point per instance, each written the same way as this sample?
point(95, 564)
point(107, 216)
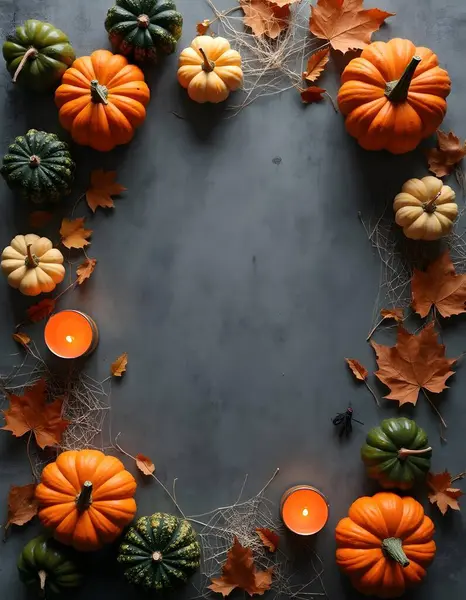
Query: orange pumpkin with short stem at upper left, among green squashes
point(102, 100)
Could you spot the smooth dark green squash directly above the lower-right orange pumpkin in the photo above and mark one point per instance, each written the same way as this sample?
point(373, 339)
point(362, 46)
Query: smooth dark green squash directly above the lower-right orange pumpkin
point(397, 453)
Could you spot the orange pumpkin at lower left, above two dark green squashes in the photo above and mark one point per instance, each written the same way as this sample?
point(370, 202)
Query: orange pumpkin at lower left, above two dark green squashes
point(86, 497)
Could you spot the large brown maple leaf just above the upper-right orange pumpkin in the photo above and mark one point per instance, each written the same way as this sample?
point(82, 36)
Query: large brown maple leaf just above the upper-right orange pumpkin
point(345, 24)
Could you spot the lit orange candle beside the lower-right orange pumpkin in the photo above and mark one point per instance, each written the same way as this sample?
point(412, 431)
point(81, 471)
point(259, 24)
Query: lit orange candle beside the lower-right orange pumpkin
point(304, 510)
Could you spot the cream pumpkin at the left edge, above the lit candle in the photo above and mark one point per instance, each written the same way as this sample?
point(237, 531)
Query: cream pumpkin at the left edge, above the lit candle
point(32, 264)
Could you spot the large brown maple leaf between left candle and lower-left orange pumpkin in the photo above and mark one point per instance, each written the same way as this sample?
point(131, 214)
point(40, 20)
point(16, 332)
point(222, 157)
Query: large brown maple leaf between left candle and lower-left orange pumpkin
point(32, 412)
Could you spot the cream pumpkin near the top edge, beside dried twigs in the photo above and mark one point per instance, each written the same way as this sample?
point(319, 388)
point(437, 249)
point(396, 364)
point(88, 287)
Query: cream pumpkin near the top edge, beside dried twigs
point(209, 69)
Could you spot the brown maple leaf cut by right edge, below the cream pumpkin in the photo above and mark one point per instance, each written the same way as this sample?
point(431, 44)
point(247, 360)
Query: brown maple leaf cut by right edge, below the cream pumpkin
point(440, 287)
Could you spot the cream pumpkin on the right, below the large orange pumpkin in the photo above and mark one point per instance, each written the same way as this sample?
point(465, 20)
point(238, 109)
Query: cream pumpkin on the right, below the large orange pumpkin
point(425, 208)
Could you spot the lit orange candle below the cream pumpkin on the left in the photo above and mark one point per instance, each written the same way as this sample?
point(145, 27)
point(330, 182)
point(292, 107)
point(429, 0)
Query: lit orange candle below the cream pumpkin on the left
point(71, 334)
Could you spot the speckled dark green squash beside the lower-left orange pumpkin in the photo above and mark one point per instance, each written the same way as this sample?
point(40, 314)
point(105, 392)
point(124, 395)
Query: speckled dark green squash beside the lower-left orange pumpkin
point(160, 552)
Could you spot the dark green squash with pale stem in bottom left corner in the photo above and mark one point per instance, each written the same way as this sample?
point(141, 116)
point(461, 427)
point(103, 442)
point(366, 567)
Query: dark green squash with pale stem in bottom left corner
point(45, 565)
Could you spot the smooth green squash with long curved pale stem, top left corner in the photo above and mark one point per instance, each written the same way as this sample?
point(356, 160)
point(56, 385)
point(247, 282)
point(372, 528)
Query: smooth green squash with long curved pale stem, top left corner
point(38, 54)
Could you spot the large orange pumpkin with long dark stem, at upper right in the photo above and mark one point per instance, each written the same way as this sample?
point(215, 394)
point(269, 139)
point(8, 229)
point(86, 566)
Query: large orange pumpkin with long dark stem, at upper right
point(393, 96)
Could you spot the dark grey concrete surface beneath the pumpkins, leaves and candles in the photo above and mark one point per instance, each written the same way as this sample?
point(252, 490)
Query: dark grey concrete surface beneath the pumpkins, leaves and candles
point(237, 286)
